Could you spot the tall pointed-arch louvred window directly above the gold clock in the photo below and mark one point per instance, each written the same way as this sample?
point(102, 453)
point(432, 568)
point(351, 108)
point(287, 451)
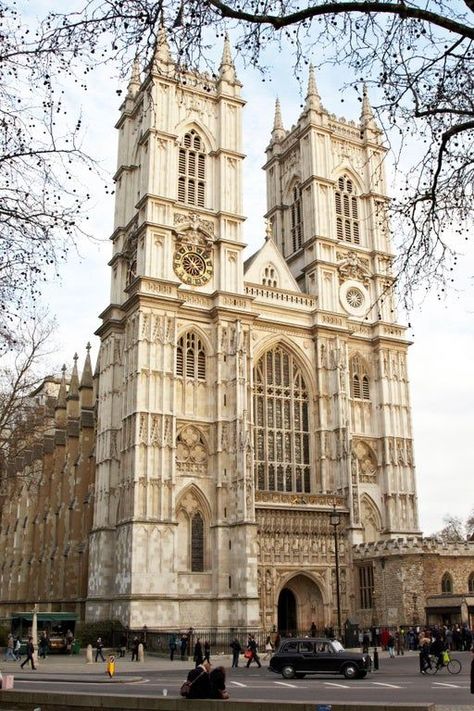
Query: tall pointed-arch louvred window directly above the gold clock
point(192, 170)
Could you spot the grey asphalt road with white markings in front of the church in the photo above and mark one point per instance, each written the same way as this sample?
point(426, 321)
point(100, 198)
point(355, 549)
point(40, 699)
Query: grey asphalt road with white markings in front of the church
point(397, 680)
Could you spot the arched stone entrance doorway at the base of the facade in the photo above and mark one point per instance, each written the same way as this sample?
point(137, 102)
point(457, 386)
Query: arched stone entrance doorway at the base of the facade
point(300, 603)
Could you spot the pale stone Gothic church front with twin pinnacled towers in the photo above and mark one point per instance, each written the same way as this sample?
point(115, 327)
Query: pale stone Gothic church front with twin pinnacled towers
point(239, 403)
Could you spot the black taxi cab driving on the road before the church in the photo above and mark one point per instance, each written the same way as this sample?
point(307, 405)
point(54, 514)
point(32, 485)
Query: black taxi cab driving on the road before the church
point(297, 657)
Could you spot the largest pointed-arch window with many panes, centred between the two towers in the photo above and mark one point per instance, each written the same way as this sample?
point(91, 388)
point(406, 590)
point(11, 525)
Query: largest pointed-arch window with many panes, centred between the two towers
point(281, 432)
